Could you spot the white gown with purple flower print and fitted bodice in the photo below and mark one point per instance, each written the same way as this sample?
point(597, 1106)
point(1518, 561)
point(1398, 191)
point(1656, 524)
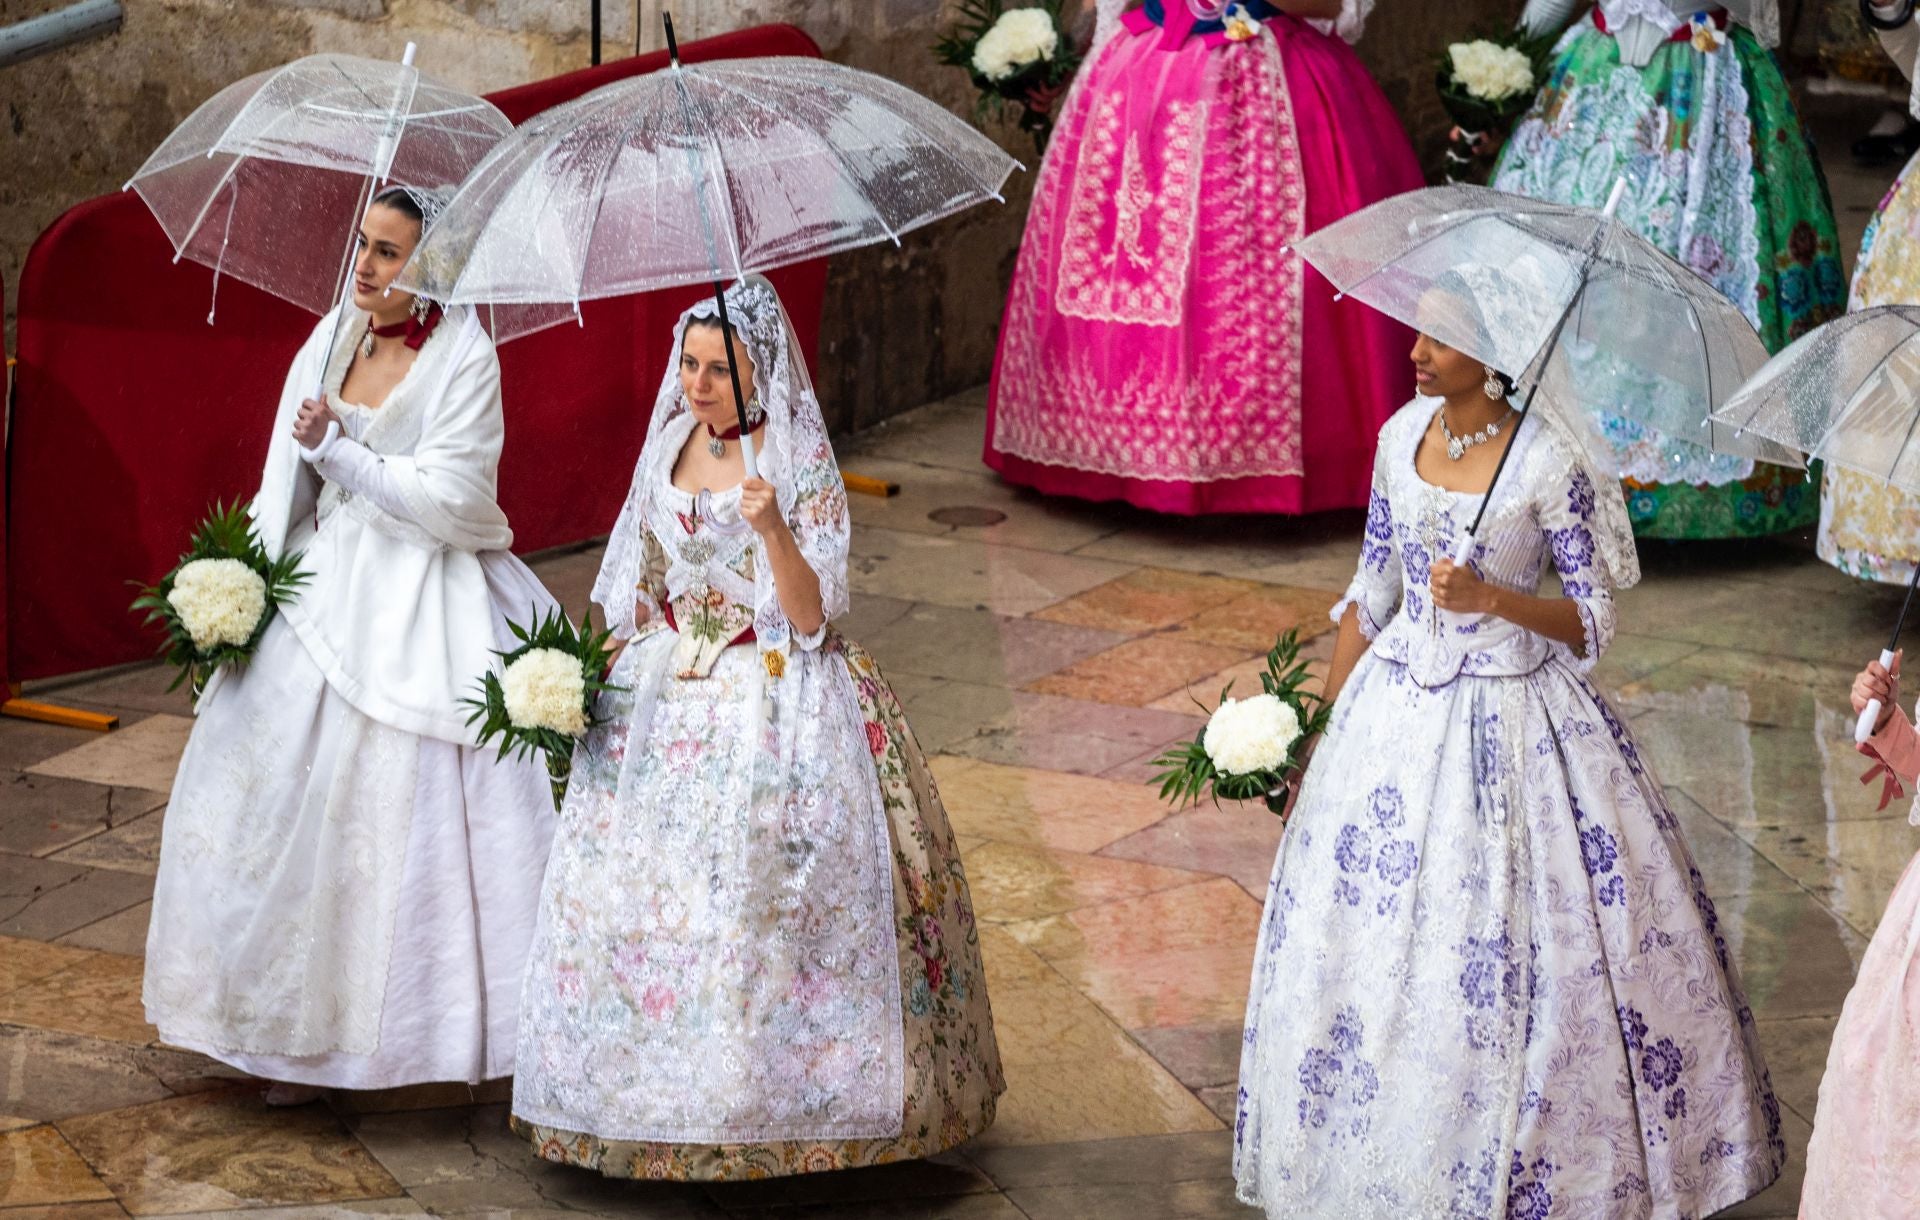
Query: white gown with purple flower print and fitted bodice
point(1489, 981)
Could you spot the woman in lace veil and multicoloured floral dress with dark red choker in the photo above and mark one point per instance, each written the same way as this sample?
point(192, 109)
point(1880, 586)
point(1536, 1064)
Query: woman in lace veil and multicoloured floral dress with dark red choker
point(756, 954)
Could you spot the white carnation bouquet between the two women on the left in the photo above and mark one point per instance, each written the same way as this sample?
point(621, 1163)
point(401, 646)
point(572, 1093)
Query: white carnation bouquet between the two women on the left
point(542, 698)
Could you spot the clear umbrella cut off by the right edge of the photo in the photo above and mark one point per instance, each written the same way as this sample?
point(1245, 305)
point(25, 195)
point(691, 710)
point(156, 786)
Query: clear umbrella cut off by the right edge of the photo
point(1848, 395)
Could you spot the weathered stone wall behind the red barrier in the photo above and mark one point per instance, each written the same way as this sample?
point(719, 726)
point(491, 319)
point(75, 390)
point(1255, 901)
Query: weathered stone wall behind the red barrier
point(905, 326)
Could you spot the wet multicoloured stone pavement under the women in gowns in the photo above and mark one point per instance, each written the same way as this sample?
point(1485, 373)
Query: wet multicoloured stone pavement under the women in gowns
point(1047, 652)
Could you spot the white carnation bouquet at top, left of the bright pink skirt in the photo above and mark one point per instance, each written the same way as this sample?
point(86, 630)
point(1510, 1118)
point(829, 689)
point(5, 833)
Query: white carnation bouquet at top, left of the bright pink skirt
point(1017, 57)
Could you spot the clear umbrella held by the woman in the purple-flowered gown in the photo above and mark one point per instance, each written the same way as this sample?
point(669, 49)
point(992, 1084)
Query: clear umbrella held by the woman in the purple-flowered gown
point(1554, 295)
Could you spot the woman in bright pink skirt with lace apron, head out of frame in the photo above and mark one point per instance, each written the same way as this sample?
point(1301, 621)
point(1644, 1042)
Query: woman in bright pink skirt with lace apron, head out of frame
point(1163, 341)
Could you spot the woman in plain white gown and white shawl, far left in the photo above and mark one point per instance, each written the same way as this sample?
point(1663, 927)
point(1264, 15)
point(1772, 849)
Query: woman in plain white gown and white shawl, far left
point(347, 885)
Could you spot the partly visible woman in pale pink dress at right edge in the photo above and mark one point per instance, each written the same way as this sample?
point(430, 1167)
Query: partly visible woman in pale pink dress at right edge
point(1863, 1161)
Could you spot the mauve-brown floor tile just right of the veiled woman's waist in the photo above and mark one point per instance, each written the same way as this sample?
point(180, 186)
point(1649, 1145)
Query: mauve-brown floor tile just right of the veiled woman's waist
point(980, 647)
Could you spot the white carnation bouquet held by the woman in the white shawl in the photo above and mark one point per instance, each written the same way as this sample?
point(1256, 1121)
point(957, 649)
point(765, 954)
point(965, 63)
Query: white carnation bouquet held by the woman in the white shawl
point(218, 600)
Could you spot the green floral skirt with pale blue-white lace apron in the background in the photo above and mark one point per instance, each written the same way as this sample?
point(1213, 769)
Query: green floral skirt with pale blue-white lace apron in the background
point(1721, 178)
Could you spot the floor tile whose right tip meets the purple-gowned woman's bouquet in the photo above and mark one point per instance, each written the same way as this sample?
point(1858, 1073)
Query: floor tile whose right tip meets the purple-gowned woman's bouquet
point(1074, 735)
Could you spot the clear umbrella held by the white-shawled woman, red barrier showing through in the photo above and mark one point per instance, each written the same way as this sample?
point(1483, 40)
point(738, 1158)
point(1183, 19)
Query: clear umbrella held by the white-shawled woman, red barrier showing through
point(268, 180)
